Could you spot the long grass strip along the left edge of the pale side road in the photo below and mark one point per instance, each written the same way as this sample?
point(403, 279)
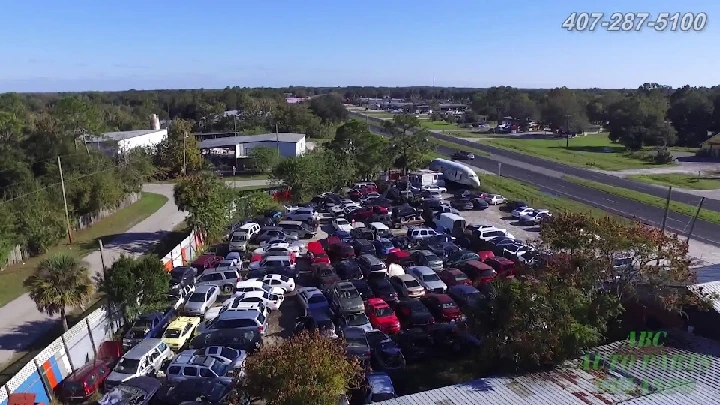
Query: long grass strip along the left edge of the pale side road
point(84, 242)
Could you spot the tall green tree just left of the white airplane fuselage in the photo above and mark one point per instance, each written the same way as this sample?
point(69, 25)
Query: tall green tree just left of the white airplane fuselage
point(409, 143)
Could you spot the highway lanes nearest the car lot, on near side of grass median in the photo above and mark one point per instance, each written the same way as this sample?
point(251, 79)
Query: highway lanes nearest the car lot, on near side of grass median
point(705, 232)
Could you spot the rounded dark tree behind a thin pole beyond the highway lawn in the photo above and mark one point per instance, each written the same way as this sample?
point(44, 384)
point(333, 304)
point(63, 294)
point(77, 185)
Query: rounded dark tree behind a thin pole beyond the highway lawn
point(564, 110)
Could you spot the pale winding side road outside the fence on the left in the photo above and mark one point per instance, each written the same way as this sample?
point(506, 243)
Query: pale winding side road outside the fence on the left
point(21, 322)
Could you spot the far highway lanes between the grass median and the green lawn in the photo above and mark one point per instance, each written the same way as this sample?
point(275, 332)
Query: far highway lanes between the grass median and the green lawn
point(555, 169)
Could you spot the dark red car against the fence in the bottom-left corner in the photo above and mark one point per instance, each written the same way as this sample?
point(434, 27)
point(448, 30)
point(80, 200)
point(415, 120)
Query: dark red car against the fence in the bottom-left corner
point(86, 380)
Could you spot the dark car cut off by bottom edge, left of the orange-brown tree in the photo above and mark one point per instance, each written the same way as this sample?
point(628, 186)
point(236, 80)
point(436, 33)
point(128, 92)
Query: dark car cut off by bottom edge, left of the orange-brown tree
point(207, 390)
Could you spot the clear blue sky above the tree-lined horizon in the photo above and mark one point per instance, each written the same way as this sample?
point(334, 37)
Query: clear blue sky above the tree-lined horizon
point(113, 45)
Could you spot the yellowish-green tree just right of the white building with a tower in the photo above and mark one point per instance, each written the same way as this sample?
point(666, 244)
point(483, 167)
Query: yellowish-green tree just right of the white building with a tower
point(179, 153)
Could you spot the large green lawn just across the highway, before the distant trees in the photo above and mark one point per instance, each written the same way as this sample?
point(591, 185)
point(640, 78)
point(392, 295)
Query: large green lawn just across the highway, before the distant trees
point(585, 151)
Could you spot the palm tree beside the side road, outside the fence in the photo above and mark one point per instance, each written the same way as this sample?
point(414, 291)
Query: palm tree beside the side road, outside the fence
point(60, 281)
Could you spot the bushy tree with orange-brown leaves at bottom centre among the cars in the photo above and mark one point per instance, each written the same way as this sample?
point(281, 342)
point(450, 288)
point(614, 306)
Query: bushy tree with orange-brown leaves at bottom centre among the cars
point(305, 369)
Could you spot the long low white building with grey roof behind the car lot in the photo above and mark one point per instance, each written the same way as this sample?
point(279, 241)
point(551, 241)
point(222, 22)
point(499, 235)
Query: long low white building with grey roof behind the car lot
point(289, 144)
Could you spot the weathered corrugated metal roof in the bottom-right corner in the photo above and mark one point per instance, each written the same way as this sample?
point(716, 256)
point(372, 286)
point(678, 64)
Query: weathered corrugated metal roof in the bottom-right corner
point(684, 371)
